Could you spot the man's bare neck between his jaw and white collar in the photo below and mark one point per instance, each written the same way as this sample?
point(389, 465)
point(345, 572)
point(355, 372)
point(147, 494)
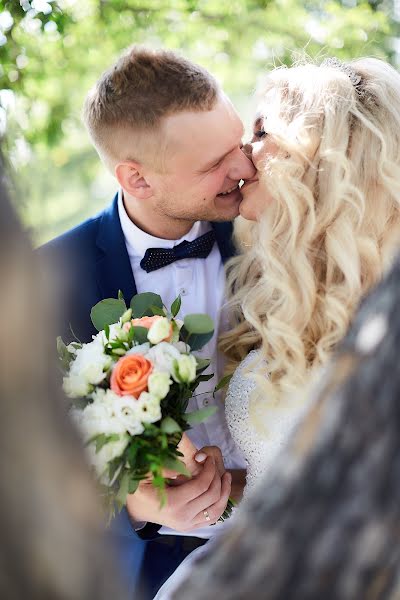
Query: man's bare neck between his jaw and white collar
point(155, 224)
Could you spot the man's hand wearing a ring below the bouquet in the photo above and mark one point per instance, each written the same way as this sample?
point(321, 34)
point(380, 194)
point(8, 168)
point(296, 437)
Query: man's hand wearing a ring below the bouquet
point(183, 511)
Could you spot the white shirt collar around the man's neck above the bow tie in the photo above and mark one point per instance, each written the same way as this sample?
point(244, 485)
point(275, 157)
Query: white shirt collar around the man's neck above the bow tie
point(138, 241)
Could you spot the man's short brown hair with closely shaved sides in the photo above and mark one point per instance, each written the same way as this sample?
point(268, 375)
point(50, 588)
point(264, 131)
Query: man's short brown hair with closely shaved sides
point(143, 87)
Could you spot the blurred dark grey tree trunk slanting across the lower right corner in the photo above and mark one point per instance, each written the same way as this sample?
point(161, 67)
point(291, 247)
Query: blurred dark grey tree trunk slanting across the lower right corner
point(325, 524)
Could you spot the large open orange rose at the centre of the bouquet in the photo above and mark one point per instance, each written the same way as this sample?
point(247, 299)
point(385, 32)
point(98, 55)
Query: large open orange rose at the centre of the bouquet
point(130, 375)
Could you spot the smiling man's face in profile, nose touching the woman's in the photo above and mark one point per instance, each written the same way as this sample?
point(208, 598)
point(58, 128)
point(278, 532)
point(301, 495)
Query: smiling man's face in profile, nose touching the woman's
point(203, 165)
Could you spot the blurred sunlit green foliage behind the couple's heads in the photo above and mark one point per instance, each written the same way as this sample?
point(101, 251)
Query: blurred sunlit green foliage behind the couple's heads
point(49, 59)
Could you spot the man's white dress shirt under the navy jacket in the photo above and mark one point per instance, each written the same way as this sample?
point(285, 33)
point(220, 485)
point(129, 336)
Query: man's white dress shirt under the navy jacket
point(200, 283)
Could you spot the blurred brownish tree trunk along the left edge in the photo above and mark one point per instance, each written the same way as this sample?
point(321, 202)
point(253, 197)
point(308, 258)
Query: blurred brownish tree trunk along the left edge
point(52, 543)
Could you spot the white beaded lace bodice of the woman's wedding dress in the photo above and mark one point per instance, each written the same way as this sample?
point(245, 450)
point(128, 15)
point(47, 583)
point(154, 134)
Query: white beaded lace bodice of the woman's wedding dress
point(262, 436)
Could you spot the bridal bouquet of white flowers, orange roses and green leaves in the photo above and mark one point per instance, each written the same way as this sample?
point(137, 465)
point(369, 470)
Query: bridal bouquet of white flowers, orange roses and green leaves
point(130, 388)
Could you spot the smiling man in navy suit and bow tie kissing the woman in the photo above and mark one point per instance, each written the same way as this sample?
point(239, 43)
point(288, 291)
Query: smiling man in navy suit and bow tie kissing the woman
point(164, 128)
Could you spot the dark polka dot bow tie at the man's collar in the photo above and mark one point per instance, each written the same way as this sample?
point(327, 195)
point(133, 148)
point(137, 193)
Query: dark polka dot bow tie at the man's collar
point(156, 258)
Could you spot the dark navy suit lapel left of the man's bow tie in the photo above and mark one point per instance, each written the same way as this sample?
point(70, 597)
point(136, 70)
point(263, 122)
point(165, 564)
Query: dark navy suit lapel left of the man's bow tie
point(113, 267)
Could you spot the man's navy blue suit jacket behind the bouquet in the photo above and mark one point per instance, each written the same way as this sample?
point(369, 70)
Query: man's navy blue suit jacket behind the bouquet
point(90, 263)
